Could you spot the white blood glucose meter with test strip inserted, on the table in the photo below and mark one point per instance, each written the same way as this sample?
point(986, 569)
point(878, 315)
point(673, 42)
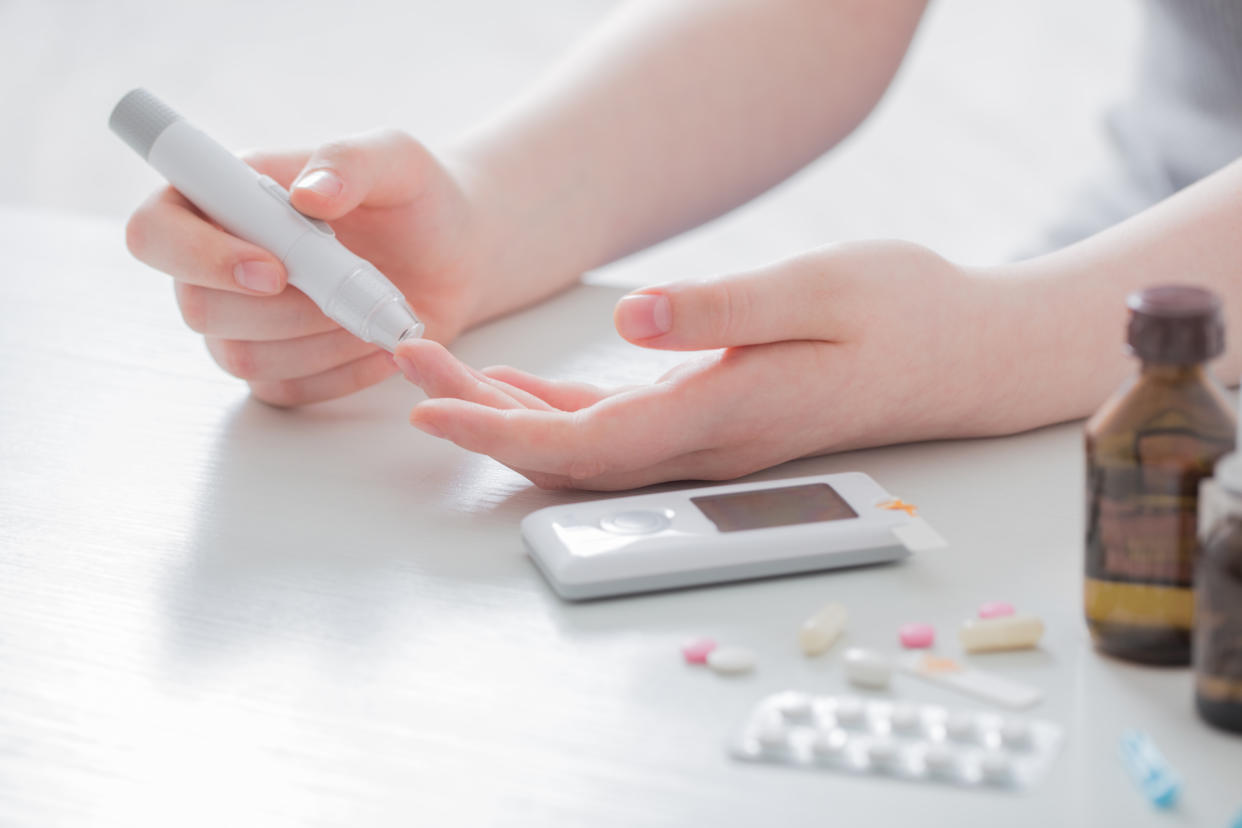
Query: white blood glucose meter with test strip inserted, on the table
point(725, 533)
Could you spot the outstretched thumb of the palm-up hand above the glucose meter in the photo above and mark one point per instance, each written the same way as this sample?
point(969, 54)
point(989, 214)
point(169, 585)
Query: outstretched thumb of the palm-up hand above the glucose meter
point(788, 301)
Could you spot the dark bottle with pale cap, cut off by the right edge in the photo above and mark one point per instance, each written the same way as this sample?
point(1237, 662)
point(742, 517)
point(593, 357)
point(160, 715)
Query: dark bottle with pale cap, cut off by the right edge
point(1219, 598)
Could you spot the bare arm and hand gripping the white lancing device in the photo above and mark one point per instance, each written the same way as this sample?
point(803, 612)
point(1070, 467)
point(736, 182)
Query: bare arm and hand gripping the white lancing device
point(675, 112)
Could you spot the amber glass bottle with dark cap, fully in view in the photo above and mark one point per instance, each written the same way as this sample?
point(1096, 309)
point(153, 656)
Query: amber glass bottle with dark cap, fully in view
point(1148, 449)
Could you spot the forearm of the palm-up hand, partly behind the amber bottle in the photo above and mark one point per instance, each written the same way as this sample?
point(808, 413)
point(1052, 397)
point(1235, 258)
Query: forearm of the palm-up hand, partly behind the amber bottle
point(1075, 300)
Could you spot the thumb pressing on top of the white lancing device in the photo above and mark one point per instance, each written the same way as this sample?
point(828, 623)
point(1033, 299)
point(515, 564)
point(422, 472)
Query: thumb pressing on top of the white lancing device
point(381, 168)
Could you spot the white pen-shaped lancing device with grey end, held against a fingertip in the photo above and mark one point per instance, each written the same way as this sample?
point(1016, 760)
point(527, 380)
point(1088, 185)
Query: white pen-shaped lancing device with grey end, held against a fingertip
point(348, 289)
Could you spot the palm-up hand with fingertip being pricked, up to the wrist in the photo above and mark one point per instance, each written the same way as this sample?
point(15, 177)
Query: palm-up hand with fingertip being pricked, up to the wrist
point(848, 347)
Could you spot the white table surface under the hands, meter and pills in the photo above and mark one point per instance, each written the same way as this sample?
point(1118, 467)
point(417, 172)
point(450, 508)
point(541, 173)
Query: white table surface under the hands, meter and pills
point(214, 613)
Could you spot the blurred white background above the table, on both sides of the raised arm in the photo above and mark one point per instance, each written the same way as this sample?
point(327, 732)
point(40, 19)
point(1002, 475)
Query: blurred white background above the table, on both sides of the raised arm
point(988, 132)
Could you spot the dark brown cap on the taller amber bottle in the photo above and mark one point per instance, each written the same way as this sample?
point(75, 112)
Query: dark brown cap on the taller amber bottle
point(1176, 325)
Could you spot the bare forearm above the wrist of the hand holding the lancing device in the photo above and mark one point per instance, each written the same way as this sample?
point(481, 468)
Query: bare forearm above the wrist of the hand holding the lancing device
point(671, 115)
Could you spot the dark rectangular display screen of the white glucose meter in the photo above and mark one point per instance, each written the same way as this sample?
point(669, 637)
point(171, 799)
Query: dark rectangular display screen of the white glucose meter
point(781, 507)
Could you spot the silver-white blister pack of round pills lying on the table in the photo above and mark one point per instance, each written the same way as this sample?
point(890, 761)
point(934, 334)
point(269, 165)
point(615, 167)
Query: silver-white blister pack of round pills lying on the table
point(918, 743)
